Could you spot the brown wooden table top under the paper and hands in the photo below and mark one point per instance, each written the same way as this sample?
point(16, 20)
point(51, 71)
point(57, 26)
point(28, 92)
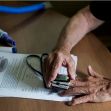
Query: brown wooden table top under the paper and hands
point(38, 33)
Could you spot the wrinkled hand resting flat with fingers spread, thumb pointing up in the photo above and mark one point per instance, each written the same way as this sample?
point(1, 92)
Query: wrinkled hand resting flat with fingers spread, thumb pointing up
point(95, 88)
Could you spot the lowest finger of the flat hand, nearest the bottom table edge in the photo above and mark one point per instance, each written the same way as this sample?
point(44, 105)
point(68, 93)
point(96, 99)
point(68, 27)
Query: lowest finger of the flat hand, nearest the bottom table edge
point(83, 99)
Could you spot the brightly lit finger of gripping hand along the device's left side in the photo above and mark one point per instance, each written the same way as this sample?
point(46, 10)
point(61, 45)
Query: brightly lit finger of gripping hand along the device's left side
point(55, 68)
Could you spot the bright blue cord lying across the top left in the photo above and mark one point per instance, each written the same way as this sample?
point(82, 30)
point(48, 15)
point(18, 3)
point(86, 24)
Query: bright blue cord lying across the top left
point(23, 9)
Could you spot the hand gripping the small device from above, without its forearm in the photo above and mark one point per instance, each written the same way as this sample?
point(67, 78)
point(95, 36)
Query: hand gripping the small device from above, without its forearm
point(54, 62)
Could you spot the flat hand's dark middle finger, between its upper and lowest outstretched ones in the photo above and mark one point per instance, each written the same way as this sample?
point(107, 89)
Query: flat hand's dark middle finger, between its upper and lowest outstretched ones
point(75, 91)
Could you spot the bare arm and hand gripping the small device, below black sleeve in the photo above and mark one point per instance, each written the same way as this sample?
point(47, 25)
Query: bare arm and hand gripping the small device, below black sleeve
point(71, 34)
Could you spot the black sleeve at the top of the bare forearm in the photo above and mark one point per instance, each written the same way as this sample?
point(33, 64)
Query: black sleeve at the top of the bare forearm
point(101, 10)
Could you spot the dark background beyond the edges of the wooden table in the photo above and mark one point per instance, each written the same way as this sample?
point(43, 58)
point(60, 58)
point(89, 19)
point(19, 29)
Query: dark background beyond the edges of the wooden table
point(69, 8)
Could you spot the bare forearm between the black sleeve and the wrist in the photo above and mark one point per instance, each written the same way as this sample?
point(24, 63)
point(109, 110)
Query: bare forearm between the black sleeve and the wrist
point(76, 28)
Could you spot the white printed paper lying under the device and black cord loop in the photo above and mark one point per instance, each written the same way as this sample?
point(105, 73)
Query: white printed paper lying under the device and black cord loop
point(18, 80)
